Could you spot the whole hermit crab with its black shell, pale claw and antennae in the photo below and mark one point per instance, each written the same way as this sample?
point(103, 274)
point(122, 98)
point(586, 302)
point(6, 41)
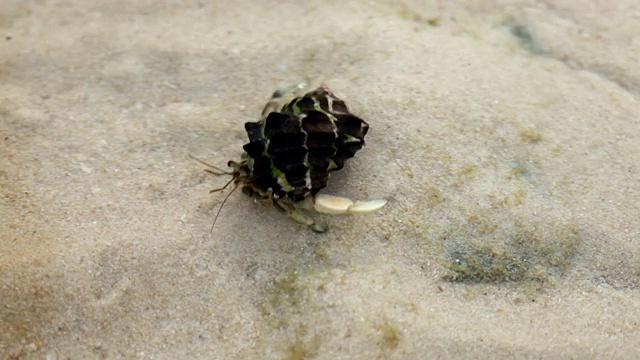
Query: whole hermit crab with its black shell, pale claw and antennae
point(292, 152)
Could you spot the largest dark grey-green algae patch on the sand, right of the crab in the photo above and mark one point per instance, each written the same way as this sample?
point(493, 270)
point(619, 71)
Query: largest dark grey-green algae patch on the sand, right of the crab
point(481, 251)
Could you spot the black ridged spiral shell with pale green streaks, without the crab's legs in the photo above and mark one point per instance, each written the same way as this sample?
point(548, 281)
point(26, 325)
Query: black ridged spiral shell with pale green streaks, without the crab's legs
point(291, 153)
